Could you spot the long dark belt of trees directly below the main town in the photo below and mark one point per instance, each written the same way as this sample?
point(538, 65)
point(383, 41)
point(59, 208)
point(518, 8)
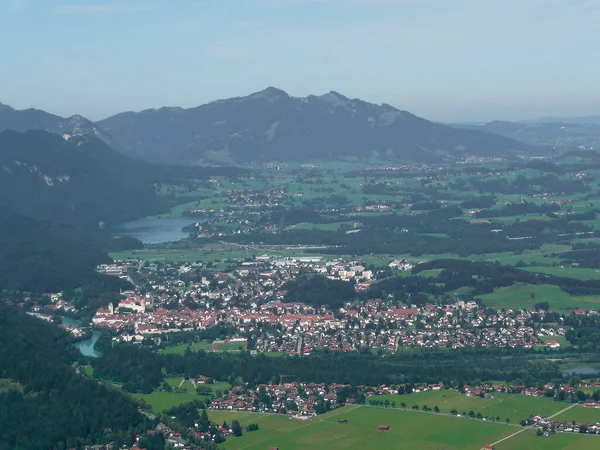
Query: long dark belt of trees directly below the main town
point(354, 368)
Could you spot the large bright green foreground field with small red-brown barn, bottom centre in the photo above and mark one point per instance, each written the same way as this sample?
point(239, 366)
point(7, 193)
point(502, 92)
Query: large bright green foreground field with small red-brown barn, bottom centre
point(408, 430)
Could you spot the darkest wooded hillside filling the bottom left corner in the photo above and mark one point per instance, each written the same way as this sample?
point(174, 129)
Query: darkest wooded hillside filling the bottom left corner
point(55, 407)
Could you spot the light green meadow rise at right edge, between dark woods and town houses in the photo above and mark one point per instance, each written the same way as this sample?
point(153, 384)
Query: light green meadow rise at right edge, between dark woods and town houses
point(522, 295)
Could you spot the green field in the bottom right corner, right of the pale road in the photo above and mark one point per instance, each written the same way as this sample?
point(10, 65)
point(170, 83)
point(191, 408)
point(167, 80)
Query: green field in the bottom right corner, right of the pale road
point(567, 441)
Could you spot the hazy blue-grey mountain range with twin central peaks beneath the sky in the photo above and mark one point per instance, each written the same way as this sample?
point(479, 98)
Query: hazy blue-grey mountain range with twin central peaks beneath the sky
point(272, 126)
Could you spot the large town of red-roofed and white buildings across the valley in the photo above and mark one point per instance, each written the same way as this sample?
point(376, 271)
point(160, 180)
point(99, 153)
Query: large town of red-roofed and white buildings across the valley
point(250, 300)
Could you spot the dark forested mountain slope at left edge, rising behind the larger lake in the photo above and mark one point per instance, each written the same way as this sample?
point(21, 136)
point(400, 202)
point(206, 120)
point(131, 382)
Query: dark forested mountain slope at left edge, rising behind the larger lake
point(77, 181)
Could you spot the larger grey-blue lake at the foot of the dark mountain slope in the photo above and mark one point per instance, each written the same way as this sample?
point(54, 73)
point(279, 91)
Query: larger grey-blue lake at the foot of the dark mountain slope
point(155, 231)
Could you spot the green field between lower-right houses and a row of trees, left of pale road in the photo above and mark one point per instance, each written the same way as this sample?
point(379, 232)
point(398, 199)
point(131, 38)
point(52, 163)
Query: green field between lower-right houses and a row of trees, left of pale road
point(513, 407)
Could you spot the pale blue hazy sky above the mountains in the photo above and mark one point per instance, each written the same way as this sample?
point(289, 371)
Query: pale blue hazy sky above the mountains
point(447, 60)
